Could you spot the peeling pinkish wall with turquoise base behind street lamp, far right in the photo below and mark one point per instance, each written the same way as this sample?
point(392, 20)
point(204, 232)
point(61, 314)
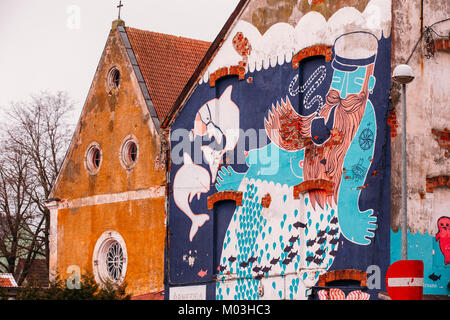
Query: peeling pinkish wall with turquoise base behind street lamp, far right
point(428, 120)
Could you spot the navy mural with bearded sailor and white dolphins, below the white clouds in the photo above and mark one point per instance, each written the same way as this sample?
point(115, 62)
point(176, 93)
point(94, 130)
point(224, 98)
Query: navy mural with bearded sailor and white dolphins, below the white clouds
point(313, 117)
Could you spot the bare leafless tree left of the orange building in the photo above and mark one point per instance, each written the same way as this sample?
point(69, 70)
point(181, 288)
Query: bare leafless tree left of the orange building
point(35, 139)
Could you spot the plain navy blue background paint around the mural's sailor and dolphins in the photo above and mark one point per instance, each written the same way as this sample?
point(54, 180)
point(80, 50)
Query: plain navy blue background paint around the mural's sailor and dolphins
point(254, 98)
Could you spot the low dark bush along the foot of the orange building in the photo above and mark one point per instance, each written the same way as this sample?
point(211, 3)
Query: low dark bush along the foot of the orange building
point(89, 290)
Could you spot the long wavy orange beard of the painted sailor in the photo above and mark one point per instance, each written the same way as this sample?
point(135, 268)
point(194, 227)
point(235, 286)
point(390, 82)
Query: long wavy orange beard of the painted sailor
point(291, 131)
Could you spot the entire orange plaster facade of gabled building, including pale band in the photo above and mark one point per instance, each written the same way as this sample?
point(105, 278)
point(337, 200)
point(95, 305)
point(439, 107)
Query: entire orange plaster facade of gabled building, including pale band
point(129, 201)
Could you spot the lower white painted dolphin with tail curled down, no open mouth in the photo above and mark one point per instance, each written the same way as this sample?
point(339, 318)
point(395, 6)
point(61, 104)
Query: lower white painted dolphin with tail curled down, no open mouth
point(191, 180)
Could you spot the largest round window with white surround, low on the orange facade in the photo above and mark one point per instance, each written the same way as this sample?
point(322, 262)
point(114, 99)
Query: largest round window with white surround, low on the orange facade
point(110, 258)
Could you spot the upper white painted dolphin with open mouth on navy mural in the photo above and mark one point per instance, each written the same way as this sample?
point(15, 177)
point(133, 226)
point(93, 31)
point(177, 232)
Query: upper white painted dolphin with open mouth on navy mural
point(217, 118)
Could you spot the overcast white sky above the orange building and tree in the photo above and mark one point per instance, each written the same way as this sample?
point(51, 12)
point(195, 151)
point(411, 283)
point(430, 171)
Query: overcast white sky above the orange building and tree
point(56, 45)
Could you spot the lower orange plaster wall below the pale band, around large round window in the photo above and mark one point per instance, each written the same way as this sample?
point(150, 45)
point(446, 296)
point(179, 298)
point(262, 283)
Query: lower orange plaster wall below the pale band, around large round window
point(138, 222)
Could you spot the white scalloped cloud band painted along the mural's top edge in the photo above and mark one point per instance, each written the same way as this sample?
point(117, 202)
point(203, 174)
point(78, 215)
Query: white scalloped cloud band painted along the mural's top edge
point(281, 41)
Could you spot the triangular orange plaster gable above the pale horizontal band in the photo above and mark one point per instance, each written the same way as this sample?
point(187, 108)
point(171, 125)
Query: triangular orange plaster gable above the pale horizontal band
point(108, 119)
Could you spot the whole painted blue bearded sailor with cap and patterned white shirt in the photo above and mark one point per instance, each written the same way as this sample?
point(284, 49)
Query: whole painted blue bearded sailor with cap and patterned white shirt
point(292, 235)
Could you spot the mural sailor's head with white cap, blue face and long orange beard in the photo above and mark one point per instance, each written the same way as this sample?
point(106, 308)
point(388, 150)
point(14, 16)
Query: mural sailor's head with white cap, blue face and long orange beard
point(327, 134)
